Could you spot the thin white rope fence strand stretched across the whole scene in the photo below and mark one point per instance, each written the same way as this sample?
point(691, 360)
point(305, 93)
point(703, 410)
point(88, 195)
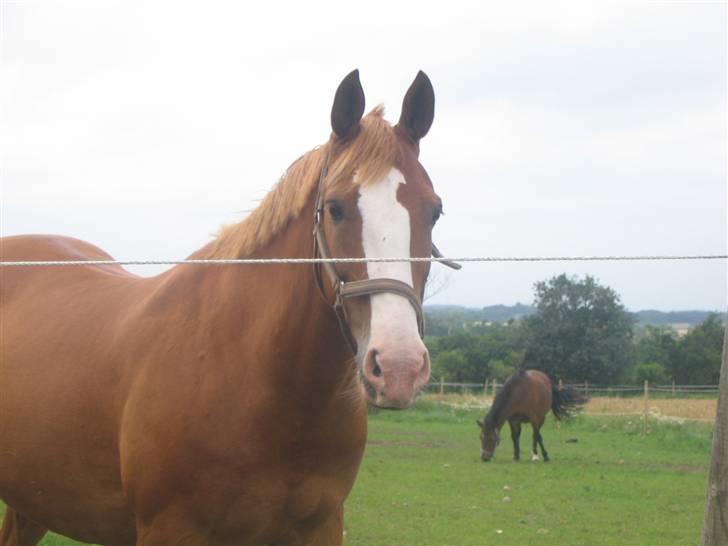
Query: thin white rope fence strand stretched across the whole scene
point(267, 261)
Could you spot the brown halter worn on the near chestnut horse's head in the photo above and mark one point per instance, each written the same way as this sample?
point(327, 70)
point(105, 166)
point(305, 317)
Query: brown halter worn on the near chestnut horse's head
point(355, 289)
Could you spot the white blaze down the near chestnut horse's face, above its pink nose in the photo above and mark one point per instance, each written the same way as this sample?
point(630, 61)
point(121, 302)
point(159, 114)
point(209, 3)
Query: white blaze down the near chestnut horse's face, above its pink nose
point(386, 234)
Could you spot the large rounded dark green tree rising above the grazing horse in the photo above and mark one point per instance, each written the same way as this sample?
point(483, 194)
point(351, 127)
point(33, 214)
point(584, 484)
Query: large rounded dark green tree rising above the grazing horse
point(580, 331)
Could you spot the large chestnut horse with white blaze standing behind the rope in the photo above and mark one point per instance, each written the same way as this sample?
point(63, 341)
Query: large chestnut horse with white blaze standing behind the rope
point(221, 405)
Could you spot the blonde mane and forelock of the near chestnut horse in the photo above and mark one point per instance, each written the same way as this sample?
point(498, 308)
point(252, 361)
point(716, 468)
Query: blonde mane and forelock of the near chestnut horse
point(371, 154)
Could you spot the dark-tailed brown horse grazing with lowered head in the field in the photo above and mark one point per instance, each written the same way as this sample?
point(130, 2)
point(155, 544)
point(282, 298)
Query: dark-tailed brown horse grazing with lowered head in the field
point(526, 397)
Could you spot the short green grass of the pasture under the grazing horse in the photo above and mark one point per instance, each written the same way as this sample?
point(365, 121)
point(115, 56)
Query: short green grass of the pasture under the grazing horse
point(422, 483)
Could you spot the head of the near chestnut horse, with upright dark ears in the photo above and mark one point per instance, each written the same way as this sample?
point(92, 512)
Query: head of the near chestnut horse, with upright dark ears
point(377, 201)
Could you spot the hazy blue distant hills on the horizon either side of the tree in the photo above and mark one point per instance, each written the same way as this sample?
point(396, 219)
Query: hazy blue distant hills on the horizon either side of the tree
point(504, 313)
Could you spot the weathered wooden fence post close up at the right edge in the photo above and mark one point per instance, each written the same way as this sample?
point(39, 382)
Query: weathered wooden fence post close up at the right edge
point(715, 531)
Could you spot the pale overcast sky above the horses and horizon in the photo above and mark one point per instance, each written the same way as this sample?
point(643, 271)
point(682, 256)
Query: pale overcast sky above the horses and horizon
point(561, 128)
